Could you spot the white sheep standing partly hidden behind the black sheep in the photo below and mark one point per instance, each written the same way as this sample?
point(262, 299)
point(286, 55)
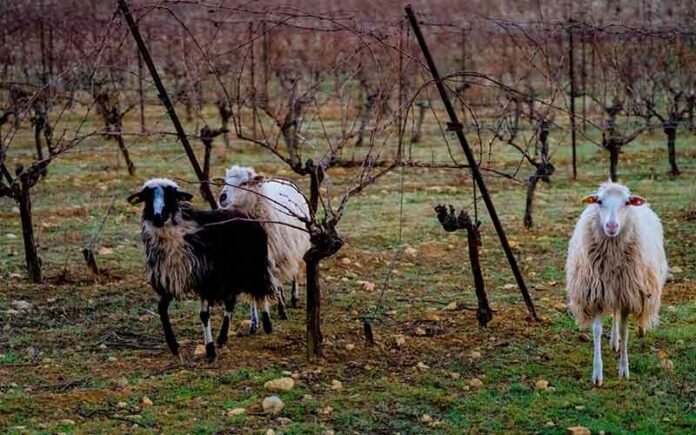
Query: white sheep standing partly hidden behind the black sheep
point(280, 207)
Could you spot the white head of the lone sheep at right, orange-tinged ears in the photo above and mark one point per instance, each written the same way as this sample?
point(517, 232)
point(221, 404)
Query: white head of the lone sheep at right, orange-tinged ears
point(613, 202)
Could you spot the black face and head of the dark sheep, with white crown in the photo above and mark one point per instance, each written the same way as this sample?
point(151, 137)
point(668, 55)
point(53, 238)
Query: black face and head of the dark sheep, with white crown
point(161, 198)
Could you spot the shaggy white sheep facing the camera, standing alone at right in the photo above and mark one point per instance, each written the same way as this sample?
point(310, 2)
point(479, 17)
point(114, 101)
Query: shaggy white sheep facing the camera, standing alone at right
point(616, 265)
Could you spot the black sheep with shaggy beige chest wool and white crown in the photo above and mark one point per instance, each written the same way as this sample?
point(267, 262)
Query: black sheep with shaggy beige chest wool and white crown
point(214, 254)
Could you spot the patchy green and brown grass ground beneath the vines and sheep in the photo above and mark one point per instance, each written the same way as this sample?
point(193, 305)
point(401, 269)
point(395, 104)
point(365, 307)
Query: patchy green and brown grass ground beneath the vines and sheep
point(85, 355)
